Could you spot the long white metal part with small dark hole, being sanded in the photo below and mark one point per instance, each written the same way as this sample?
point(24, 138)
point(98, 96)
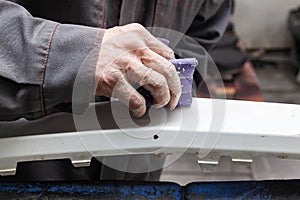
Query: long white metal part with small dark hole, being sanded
point(249, 129)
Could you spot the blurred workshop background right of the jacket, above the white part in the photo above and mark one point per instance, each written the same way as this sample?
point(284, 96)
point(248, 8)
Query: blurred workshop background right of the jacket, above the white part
point(259, 56)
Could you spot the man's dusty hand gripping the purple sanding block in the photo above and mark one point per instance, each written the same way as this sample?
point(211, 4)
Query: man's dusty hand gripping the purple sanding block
point(131, 55)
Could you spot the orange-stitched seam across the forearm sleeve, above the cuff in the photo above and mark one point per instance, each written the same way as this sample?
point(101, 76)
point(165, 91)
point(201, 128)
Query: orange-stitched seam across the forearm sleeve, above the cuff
point(42, 77)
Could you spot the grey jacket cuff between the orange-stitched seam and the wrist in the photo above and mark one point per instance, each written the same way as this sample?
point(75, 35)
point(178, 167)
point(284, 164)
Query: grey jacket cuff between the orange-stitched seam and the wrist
point(70, 69)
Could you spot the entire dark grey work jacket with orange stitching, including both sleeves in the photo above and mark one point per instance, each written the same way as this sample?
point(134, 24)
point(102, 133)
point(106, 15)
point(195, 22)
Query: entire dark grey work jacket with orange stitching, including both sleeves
point(43, 43)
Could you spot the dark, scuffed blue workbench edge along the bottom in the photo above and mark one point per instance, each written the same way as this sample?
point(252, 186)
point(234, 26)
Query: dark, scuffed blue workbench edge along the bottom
point(131, 190)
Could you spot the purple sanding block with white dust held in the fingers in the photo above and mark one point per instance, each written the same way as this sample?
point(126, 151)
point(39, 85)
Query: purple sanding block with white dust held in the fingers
point(185, 68)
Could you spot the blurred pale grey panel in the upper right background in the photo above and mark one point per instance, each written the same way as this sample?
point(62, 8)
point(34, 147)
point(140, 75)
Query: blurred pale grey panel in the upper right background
point(268, 19)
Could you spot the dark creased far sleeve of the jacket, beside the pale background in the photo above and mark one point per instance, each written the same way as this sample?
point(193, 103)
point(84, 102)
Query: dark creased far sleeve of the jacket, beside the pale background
point(210, 22)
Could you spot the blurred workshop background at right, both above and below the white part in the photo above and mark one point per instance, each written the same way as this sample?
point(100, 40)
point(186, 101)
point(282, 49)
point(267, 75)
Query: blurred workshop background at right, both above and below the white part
point(259, 60)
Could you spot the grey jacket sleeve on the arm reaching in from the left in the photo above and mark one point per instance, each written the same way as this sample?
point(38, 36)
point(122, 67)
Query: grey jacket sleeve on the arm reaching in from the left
point(40, 61)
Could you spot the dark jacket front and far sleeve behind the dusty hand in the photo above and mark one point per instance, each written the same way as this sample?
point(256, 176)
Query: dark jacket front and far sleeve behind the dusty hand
point(203, 20)
